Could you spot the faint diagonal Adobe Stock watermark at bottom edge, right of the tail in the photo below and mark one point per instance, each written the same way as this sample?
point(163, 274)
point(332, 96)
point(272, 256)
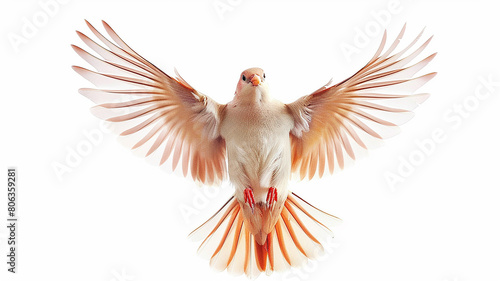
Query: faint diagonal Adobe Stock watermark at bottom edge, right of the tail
point(305, 272)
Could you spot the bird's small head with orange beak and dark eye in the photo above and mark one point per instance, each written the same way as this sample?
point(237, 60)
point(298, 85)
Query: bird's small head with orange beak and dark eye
point(252, 85)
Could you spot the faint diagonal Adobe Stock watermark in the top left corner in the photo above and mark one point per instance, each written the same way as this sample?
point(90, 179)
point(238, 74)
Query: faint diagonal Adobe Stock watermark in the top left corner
point(31, 25)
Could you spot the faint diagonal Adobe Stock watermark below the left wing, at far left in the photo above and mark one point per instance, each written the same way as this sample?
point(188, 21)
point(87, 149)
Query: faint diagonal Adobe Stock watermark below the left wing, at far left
point(76, 153)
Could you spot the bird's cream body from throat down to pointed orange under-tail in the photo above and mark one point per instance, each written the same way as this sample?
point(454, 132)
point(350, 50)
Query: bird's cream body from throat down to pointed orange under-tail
point(259, 157)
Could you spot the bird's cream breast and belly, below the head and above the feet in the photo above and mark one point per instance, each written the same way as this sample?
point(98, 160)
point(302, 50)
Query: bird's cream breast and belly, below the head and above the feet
point(258, 157)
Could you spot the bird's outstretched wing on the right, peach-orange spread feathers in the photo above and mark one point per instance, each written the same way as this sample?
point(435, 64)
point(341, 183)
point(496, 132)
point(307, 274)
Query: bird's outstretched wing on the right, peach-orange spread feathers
point(333, 119)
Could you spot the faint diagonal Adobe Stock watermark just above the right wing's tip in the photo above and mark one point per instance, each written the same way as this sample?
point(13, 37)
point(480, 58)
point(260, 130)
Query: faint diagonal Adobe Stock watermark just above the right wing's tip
point(372, 29)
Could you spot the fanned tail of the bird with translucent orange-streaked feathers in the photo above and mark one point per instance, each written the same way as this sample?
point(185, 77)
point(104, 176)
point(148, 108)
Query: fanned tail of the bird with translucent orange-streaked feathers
point(296, 237)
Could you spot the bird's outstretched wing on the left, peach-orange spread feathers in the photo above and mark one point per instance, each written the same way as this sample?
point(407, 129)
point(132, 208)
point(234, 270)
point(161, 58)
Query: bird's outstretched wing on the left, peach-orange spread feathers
point(164, 116)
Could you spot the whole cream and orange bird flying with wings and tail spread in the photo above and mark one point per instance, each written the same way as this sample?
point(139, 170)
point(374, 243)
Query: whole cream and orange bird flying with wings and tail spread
point(255, 141)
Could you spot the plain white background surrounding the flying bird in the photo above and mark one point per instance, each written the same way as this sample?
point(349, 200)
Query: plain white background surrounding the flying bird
point(116, 217)
